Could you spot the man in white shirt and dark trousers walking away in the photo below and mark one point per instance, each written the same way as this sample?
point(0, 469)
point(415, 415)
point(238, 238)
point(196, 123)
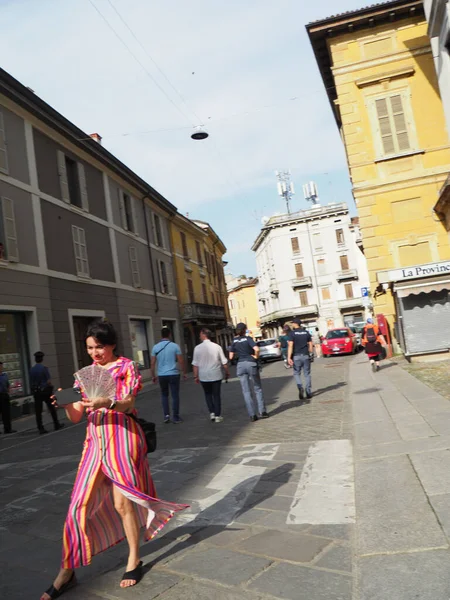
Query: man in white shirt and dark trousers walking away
point(209, 362)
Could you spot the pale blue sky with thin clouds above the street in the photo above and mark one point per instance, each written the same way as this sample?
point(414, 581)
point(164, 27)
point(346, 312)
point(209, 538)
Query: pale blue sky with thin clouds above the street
point(144, 74)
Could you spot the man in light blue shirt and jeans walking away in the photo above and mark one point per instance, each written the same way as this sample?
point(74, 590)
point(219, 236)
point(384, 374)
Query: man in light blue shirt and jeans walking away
point(168, 360)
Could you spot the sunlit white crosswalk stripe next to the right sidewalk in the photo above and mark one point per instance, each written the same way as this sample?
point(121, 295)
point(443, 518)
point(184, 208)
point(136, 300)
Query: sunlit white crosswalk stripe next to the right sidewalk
point(326, 492)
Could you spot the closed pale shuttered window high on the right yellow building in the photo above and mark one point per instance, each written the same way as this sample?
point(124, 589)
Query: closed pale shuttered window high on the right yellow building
point(394, 131)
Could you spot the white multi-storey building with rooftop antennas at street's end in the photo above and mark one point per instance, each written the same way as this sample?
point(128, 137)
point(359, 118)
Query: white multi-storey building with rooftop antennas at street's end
point(310, 265)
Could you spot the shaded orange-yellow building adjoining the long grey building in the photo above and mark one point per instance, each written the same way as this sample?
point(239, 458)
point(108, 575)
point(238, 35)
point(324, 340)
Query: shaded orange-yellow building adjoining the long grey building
point(198, 259)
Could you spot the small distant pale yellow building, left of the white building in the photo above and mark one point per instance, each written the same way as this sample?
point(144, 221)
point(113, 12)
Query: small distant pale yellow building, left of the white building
point(243, 303)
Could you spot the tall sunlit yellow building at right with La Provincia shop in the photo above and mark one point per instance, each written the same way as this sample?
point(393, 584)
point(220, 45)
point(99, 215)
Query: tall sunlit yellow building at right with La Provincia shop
point(377, 67)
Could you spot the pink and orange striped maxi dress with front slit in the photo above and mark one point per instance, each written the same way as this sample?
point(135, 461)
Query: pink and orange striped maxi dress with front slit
point(114, 453)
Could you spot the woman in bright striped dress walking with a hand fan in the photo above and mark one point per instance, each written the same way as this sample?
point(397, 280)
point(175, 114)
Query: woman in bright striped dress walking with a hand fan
point(113, 495)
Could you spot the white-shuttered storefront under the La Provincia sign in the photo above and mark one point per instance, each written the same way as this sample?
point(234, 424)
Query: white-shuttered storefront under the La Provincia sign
point(422, 298)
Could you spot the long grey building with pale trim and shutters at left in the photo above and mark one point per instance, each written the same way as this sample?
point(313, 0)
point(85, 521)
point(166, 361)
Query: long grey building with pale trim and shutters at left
point(81, 237)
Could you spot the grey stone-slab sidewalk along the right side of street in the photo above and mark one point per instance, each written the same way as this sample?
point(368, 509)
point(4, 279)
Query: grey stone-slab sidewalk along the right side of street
point(402, 476)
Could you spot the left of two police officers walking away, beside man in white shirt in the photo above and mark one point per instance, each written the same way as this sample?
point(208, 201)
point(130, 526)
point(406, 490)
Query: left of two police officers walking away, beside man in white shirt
point(247, 352)
